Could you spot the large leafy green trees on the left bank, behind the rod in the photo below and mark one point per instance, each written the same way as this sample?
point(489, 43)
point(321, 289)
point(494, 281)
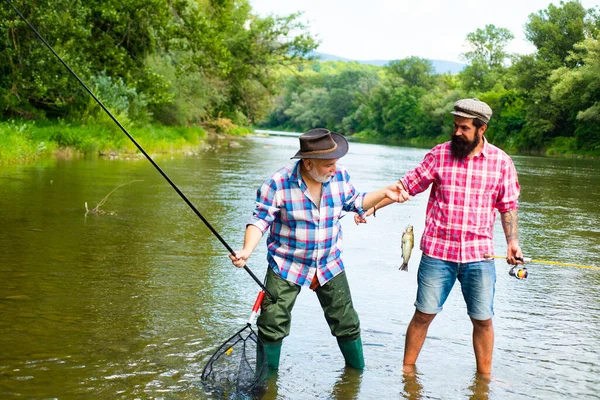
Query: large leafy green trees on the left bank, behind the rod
point(176, 62)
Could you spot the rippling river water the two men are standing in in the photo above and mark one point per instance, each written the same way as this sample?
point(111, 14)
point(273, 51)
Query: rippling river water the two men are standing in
point(130, 304)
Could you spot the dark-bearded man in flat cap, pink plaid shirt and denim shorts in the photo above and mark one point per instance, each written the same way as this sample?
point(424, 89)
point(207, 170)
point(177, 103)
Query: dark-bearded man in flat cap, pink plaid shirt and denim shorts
point(470, 179)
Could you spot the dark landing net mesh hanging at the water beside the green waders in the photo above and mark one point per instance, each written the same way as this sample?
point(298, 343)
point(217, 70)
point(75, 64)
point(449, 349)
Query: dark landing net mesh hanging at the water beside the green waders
point(237, 370)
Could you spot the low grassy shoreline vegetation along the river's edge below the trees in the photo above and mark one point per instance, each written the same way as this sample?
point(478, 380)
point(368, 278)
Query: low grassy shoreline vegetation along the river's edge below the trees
point(23, 142)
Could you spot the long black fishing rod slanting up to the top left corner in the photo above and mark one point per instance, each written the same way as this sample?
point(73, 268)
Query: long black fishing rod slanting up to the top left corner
point(164, 175)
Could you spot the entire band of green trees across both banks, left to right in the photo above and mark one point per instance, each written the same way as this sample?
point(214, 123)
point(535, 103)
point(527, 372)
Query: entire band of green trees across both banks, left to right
point(214, 63)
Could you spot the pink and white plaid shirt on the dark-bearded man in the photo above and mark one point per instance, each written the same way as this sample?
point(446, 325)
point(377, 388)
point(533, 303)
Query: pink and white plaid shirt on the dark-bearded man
point(460, 216)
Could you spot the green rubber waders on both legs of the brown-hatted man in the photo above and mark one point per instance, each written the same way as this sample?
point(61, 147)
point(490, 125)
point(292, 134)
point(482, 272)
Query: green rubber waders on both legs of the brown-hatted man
point(274, 321)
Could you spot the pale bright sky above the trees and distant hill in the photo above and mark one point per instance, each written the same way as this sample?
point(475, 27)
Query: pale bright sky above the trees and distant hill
point(396, 29)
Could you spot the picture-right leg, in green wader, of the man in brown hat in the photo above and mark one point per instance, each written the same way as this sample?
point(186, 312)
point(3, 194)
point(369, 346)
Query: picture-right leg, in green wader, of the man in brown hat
point(336, 302)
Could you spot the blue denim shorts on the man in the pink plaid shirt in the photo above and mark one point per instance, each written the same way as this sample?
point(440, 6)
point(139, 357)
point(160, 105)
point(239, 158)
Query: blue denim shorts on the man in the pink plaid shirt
point(477, 280)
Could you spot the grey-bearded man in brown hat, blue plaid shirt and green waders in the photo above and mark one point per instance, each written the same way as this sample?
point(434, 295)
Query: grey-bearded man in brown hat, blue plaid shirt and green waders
point(300, 206)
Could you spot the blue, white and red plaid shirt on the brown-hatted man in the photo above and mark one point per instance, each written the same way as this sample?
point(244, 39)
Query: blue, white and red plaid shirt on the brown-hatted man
point(304, 239)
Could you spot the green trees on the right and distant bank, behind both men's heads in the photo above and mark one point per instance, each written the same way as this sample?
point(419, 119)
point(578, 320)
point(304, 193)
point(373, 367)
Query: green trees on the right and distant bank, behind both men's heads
point(545, 102)
